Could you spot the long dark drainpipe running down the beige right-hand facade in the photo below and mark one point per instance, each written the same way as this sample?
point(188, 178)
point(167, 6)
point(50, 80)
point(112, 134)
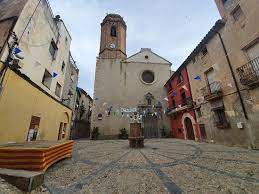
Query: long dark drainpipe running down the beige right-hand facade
point(233, 76)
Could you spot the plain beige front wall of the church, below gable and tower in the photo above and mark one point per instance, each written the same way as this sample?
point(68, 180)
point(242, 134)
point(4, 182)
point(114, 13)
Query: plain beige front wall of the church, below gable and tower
point(118, 84)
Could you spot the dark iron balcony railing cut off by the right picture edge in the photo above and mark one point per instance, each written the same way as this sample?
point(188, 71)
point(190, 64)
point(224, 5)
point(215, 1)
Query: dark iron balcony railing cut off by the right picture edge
point(249, 73)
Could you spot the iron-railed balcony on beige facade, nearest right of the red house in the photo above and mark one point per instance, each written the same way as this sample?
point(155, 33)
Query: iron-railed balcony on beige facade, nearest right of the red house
point(212, 91)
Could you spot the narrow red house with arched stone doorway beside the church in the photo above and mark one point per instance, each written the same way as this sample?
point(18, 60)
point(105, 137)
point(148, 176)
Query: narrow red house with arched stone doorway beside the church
point(180, 109)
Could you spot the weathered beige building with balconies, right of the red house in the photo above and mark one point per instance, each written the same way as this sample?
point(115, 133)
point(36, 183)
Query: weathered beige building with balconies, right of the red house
point(223, 76)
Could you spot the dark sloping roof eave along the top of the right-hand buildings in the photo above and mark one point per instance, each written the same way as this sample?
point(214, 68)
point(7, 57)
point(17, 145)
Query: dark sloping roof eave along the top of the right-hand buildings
point(213, 31)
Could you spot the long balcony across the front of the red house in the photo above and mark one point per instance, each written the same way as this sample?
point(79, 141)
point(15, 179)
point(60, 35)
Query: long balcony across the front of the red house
point(183, 105)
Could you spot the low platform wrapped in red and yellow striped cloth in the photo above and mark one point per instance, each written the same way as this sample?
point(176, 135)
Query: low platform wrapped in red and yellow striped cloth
point(34, 156)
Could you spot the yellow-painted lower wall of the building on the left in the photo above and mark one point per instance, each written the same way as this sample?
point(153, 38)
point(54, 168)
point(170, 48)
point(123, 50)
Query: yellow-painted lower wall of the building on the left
point(19, 101)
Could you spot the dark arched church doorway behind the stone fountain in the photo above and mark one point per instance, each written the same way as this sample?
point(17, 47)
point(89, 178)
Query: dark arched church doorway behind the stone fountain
point(151, 126)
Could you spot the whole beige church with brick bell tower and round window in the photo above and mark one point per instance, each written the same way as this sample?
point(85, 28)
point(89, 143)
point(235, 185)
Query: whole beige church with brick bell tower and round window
point(128, 89)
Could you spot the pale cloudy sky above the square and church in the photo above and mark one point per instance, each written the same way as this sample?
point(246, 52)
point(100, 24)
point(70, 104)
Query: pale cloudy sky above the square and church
point(171, 28)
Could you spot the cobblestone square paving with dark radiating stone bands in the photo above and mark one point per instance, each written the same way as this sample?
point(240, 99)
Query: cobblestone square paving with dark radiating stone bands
point(163, 166)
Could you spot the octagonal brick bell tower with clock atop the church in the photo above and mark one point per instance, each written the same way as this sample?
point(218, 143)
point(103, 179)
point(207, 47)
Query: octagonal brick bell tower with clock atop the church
point(113, 37)
